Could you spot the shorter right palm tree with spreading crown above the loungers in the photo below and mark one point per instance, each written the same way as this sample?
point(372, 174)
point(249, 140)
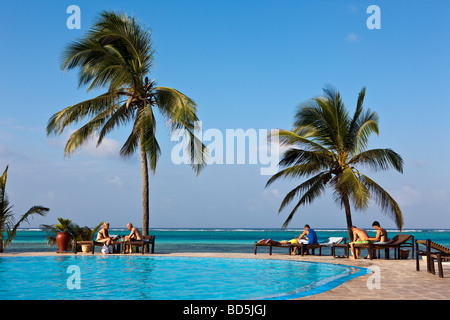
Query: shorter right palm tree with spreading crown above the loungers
point(327, 146)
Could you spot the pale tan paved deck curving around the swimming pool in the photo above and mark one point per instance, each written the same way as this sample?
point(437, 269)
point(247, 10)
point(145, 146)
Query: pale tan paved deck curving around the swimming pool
point(392, 280)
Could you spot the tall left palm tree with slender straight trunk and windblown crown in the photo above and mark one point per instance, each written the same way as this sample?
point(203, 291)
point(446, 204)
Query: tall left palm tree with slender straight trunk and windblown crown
point(116, 53)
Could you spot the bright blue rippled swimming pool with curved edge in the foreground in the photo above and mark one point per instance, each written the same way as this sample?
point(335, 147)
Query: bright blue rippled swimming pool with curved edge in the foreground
point(165, 278)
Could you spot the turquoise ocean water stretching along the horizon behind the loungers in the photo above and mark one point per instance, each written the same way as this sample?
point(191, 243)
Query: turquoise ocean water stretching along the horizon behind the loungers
point(218, 240)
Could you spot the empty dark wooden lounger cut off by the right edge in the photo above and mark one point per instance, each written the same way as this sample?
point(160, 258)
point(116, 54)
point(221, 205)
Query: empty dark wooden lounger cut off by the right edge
point(440, 254)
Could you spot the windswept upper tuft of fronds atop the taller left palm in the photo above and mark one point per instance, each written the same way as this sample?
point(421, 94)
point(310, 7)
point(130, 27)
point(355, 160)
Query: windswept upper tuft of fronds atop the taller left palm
point(117, 49)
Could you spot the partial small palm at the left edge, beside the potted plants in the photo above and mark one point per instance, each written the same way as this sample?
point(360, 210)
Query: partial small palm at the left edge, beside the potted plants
point(7, 223)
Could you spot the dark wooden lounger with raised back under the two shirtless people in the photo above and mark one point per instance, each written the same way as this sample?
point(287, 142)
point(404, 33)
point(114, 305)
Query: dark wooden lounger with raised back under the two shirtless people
point(399, 242)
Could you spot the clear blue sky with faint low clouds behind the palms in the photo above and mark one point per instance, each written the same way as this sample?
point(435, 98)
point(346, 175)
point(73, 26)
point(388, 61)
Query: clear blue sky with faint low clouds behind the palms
point(247, 64)
